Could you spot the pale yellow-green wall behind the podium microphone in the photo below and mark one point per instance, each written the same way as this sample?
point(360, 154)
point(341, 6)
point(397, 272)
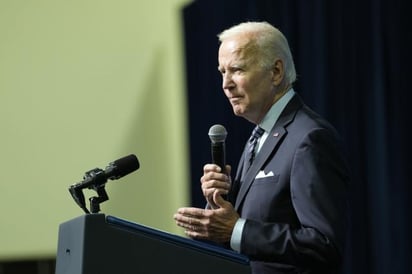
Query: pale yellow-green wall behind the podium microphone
point(83, 83)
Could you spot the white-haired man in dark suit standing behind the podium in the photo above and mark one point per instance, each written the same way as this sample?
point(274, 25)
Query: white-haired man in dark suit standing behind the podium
point(286, 206)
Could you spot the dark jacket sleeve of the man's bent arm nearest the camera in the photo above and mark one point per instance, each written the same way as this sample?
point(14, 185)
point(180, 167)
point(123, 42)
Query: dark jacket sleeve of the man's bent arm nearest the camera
point(318, 182)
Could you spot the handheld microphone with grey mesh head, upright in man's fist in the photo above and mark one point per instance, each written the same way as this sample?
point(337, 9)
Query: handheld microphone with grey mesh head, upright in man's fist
point(217, 135)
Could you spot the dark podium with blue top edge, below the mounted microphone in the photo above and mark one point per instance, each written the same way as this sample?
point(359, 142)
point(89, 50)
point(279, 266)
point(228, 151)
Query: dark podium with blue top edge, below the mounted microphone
point(99, 244)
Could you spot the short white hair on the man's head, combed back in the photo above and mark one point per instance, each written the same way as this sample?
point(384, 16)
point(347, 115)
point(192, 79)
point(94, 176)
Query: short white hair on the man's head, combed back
point(270, 42)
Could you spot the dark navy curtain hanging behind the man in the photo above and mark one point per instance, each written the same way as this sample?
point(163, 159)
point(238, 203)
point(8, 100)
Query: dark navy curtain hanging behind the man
point(351, 60)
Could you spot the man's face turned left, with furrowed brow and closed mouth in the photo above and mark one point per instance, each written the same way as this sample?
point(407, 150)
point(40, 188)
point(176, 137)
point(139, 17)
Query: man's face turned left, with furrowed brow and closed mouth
point(248, 86)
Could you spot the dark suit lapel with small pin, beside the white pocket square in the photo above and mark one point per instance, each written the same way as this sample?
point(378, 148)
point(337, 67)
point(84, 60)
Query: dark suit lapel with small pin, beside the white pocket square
point(273, 140)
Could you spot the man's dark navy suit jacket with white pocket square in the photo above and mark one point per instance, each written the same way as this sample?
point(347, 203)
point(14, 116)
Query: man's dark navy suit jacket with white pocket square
point(295, 209)
